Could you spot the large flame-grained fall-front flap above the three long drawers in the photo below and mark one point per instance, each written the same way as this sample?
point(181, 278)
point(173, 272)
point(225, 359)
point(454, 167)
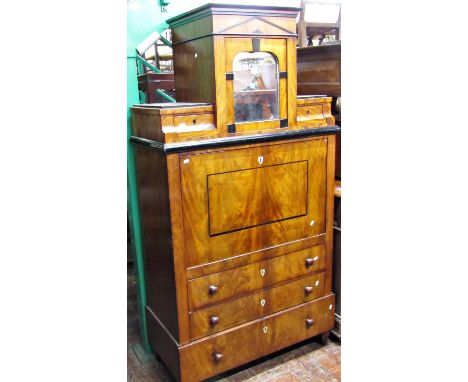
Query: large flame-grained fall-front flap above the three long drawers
point(236, 201)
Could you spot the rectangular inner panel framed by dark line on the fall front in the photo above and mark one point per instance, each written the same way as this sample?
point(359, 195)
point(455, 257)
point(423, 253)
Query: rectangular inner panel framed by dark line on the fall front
point(248, 198)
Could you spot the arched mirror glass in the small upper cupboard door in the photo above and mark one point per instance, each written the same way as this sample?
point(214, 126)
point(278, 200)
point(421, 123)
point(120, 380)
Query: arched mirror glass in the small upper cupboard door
point(256, 81)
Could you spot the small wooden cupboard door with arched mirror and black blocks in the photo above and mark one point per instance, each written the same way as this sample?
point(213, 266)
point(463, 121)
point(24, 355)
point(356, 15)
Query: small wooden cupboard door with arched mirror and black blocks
point(256, 93)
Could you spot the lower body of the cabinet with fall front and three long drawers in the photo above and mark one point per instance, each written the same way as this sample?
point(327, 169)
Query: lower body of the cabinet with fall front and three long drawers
point(237, 244)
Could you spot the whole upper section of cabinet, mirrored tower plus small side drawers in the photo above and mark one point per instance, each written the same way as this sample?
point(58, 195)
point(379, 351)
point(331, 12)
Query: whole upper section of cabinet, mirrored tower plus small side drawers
point(235, 75)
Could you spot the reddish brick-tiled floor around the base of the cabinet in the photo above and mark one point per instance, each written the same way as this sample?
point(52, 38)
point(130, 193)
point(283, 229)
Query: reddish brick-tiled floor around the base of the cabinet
point(306, 362)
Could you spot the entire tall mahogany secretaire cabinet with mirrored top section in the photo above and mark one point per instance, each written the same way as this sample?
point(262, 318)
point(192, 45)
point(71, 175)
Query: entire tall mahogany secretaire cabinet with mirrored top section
point(237, 221)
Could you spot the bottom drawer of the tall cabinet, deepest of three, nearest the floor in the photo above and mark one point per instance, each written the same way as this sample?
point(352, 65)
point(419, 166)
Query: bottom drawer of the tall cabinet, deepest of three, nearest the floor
point(233, 347)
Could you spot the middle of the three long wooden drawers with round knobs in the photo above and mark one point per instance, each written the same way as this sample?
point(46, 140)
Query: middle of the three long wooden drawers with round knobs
point(262, 303)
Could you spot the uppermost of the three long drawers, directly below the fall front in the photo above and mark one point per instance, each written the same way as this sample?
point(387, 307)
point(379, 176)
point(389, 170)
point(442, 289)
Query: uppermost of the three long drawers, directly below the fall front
point(235, 282)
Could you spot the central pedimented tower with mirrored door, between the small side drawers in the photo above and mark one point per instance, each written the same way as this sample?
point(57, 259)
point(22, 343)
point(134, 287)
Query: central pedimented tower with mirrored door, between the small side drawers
point(243, 60)
